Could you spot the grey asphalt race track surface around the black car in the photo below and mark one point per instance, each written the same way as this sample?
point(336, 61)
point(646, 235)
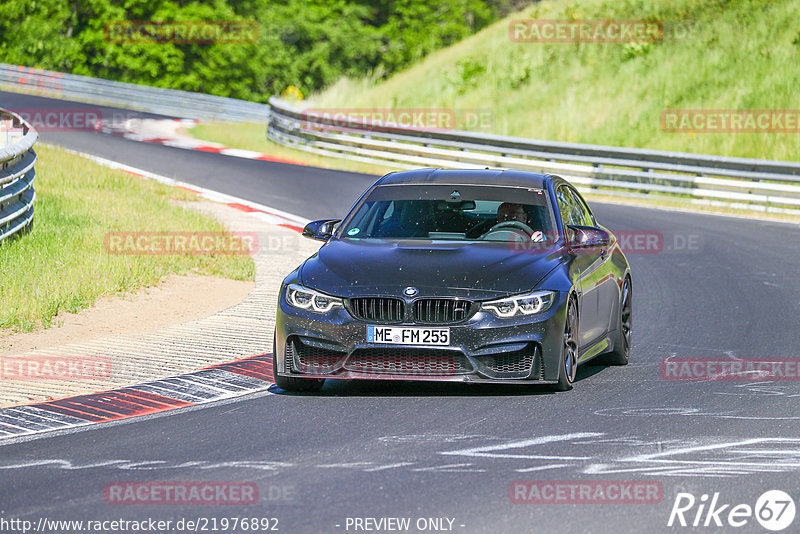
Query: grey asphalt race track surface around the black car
point(377, 450)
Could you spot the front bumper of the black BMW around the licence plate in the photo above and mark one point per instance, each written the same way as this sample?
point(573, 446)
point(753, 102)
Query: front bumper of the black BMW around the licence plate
point(485, 348)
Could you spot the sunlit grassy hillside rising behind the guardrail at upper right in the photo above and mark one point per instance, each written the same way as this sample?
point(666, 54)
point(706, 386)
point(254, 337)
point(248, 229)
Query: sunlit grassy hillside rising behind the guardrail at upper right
point(716, 54)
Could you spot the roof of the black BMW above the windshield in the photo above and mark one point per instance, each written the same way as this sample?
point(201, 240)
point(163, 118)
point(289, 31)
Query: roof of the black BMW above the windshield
point(507, 178)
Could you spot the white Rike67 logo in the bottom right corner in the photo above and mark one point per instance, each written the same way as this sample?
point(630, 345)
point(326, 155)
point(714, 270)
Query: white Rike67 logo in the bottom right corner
point(774, 510)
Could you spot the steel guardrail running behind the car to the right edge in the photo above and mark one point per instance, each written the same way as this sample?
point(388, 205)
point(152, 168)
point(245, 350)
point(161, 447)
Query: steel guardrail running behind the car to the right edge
point(762, 185)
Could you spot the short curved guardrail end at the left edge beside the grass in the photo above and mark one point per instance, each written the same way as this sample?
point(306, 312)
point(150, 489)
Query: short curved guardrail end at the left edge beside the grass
point(17, 160)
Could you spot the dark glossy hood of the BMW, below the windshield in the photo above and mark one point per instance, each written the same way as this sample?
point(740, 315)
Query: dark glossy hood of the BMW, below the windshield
point(481, 270)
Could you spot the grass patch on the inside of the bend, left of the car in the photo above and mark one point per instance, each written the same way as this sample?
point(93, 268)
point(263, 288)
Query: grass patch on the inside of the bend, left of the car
point(62, 265)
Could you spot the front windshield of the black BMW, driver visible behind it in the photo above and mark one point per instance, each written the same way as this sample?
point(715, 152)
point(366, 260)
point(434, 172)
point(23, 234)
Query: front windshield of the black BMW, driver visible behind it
point(452, 212)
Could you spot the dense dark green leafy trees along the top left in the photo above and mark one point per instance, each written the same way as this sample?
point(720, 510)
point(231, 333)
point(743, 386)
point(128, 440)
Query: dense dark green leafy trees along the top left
point(306, 43)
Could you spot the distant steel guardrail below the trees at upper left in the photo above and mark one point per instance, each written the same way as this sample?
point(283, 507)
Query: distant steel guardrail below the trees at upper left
point(170, 102)
